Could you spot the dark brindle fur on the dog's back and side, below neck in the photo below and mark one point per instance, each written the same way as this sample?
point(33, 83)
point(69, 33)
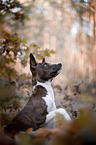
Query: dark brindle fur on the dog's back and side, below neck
point(32, 116)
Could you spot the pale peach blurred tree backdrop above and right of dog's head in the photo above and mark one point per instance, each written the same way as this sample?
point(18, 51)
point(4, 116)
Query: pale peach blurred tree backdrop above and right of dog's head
point(67, 27)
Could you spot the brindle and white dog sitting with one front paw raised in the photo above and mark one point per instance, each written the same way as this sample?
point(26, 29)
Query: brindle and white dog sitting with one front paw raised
point(41, 108)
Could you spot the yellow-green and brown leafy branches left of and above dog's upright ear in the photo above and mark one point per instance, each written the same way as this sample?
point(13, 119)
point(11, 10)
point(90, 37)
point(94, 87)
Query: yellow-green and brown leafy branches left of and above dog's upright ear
point(13, 48)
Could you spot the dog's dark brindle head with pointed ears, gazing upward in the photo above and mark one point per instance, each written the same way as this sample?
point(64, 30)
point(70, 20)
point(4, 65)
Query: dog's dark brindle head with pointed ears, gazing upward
point(43, 72)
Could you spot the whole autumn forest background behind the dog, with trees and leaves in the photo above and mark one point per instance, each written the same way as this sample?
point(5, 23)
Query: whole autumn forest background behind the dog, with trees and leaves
point(59, 30)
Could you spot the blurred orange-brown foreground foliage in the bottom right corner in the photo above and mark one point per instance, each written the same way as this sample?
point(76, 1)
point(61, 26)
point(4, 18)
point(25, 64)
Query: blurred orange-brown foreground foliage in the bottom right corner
point(79, 131)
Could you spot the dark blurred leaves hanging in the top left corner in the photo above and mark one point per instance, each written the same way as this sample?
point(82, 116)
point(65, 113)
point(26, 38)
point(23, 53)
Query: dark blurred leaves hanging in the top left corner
point(13, 9)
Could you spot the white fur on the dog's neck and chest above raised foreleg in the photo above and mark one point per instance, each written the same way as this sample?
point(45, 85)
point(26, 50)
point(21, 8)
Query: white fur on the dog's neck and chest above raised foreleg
point(49, 98)
